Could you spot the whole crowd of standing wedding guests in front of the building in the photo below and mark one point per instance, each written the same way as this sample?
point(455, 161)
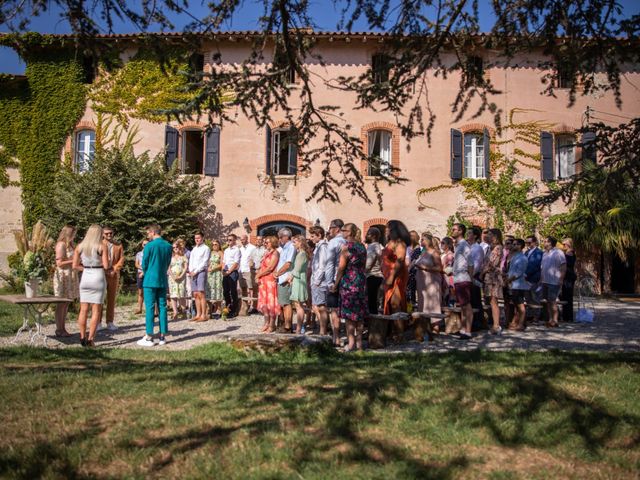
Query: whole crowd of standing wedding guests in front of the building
point(319, 281)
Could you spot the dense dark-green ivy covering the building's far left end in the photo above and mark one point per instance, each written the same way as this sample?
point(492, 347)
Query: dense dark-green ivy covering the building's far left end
point(38, 114)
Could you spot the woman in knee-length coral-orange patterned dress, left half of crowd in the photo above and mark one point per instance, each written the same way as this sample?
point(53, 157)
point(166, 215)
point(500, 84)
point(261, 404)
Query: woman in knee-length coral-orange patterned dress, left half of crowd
point(267, 286)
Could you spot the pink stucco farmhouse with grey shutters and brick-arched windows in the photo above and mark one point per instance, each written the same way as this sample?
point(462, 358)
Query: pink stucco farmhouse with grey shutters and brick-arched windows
point(256, 170)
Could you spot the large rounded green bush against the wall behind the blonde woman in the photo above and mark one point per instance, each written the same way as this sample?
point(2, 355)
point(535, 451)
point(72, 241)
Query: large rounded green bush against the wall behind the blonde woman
point(128, 192)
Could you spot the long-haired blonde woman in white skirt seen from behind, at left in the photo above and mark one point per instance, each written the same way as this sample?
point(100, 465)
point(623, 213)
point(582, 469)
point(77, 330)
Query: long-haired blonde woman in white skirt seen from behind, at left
point(91, 258)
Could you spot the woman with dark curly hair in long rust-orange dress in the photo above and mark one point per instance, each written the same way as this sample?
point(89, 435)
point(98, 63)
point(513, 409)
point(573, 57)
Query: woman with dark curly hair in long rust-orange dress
point(395, 272)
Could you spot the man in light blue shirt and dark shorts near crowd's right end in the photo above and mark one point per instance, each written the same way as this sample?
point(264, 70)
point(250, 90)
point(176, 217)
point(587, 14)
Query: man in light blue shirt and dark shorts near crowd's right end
point(554, 268)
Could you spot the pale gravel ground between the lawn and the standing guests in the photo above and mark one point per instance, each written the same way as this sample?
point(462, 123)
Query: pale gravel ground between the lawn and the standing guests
point(616, 328)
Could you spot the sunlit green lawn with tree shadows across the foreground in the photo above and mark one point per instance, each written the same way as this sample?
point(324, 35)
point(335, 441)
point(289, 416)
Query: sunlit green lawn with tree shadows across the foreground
point(213, 412)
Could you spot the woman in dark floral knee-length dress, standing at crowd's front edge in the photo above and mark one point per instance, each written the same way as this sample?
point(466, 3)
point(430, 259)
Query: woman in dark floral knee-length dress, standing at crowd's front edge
point(352, 280)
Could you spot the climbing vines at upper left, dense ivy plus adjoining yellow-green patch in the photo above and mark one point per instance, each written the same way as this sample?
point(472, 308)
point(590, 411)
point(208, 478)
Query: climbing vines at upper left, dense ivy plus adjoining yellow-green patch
point(41, 109)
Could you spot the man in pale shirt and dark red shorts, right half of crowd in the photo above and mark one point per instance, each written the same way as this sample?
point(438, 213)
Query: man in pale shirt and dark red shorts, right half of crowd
point(462, 275)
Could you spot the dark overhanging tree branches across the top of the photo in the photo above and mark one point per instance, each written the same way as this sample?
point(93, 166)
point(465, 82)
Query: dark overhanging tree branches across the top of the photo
point(581, 38)
